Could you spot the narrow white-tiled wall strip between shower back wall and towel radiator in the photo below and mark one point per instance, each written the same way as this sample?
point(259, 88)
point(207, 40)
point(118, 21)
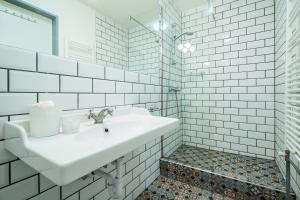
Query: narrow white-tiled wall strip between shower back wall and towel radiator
point(280, 51)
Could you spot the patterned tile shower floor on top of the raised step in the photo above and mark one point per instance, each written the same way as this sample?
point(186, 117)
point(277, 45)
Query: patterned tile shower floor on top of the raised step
point(254, 170)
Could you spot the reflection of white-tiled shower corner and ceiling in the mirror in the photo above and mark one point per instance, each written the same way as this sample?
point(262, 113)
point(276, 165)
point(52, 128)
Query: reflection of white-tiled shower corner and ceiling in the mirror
point(127, 34)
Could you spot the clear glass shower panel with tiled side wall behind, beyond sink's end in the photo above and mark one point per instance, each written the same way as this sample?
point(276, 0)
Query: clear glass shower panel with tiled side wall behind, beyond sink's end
point(170, 73)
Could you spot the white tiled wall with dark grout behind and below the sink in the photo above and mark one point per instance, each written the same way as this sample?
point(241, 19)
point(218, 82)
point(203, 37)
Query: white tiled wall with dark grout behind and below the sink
point(29, 77)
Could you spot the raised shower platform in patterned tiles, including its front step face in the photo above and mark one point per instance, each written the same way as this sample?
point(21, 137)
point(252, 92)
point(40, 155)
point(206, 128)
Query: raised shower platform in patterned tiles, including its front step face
point(231, 175)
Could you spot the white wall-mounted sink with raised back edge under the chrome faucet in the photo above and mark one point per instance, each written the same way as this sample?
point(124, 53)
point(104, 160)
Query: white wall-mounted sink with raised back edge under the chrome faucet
point(64, 158)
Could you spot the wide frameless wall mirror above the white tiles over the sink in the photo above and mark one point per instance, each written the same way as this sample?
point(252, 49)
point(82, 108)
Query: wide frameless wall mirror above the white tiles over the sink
point(121, 34)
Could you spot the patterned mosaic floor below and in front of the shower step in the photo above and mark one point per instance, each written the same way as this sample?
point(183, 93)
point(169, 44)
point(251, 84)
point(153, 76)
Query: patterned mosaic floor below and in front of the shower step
point(164, 188)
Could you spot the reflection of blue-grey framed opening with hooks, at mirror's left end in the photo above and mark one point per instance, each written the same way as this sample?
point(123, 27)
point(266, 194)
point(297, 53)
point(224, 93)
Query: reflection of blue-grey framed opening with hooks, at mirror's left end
point(28, 27)
